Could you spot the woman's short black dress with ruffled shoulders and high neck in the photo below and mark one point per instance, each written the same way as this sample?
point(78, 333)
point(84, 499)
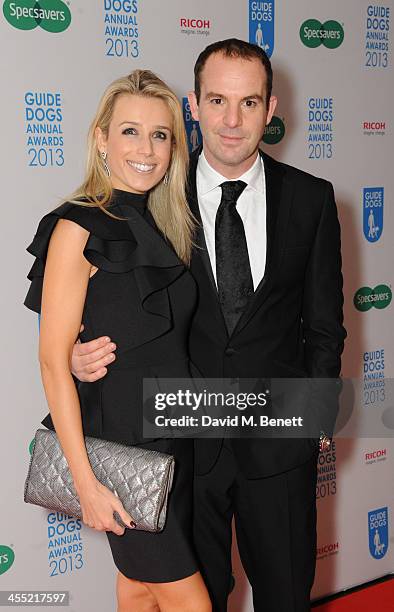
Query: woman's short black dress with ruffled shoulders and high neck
point(143, 297)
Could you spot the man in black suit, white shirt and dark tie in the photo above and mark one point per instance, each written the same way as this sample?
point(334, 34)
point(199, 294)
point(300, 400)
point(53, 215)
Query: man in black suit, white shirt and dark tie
point(270, 305)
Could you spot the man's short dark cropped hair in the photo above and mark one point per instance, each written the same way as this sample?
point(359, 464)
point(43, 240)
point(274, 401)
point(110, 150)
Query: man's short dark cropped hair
point(233, 47)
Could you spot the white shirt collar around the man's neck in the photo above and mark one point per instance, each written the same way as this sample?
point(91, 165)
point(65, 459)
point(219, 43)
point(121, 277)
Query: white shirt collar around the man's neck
point(209, 179)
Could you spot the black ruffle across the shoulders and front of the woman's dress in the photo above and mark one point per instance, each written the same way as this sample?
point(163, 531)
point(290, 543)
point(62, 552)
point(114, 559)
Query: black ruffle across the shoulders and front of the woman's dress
point(115, 246)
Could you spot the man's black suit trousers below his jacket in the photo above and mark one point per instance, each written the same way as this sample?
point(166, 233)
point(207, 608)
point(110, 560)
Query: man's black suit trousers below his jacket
point(275, 521)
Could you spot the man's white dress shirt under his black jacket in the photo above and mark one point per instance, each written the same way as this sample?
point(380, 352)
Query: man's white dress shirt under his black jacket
point(251, 206)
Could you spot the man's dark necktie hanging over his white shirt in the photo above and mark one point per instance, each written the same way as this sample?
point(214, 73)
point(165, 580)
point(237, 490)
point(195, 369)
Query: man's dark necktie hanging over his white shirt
point(233, 275)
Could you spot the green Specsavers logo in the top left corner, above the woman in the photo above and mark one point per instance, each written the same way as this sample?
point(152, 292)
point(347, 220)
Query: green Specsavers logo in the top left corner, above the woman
point(50, 15)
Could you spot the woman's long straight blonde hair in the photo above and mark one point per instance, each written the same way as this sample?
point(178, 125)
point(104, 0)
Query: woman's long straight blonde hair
point(167, 202)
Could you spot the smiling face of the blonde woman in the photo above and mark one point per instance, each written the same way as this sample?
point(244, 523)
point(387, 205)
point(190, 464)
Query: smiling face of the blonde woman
point(139, 142)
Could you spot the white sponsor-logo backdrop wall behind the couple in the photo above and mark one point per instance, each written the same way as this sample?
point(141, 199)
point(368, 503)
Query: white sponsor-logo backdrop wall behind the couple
point(333, 75)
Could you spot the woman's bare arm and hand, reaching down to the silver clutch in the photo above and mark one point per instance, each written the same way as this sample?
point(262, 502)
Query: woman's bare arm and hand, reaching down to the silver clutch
point(65, 284)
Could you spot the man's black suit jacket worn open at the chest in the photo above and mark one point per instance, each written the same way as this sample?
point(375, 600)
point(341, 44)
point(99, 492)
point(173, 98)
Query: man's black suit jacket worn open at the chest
point(292, 325)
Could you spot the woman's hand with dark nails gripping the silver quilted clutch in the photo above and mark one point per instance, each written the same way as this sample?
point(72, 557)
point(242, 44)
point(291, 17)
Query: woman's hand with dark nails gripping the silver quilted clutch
point(98, 505)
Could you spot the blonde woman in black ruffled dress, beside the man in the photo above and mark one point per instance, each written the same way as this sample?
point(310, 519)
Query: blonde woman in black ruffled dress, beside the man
point(102, 259)
